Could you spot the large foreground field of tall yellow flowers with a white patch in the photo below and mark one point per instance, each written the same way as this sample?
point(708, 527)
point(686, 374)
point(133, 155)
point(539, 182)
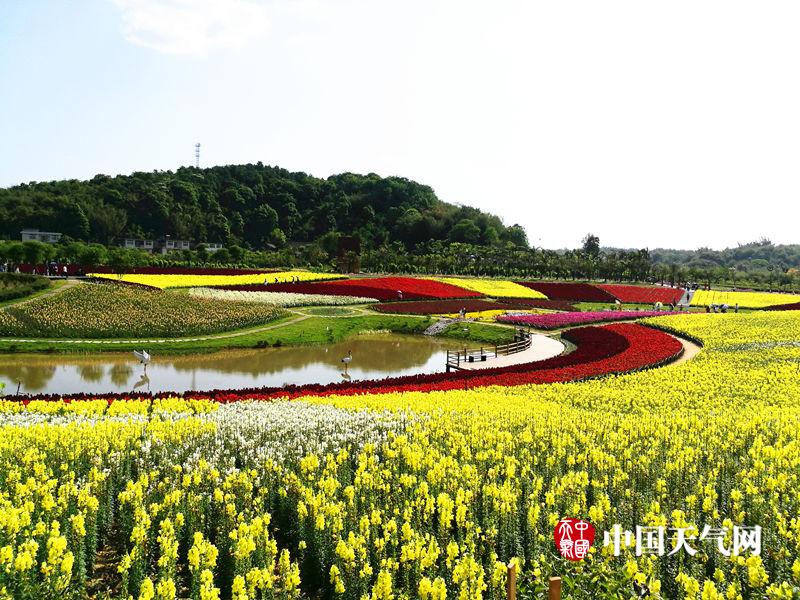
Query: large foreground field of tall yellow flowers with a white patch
point(420, 495)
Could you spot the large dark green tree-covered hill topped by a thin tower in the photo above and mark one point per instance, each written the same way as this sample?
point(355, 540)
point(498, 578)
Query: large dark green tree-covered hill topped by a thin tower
point(248, 205)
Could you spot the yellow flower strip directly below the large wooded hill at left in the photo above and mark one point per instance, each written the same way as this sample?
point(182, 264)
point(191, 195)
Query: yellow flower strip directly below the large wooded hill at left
point(173, 281)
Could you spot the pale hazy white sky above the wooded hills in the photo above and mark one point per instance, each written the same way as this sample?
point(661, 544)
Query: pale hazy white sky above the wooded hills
point(648, 123)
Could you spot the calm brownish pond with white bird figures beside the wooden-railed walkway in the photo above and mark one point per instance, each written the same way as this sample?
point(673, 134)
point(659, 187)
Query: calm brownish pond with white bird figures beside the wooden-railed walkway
point(374, 356)
